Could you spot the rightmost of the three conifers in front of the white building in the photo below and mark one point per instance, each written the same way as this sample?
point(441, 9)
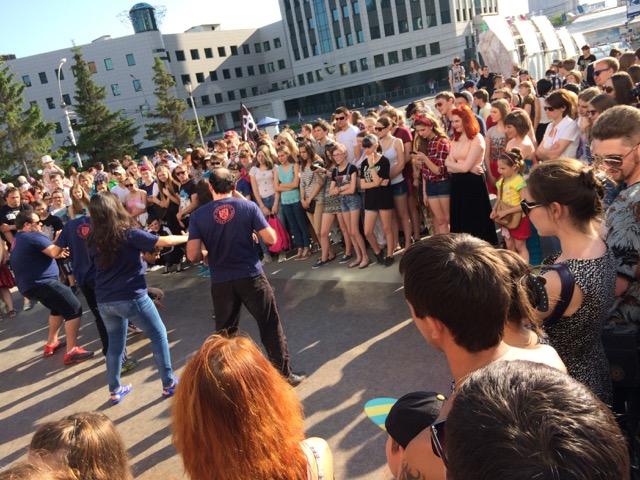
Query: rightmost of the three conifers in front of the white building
point(171, 129)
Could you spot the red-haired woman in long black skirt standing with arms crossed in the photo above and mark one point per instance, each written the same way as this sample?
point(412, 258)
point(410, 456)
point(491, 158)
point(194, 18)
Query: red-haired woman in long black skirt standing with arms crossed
point(470, 205)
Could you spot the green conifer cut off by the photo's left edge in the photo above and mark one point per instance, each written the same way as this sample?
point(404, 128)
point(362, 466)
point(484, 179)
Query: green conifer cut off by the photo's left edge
point(24, 135)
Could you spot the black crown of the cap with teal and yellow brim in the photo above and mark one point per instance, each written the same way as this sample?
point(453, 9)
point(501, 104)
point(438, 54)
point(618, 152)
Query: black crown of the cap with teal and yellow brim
point(411, 414)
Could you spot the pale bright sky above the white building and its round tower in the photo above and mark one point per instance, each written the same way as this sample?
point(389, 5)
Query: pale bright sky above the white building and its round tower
point(28, 27)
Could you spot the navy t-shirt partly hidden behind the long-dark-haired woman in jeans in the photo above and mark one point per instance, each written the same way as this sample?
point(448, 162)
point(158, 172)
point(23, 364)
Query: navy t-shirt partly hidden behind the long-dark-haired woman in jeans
point(74, 236)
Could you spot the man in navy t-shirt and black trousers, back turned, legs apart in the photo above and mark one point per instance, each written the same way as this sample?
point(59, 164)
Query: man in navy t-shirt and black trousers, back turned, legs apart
point(226, 226)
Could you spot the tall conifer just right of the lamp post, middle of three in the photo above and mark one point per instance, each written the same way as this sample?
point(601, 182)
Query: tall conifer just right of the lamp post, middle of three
point(104, 135)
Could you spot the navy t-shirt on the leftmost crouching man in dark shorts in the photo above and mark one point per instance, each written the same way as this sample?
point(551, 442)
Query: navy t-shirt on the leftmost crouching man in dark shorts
point(30, 266)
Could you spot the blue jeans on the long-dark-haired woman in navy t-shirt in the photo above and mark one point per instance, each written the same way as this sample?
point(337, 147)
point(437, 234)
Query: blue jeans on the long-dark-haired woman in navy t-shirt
point(145, 315)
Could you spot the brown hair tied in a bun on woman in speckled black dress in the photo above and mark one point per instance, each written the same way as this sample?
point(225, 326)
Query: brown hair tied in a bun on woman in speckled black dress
point(569, 183)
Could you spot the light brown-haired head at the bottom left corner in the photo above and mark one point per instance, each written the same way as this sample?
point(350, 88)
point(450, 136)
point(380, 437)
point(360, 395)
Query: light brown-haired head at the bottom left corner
point(86, 443)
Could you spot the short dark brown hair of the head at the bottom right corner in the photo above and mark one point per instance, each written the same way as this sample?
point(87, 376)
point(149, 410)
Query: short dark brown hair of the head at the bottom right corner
point(521, 420)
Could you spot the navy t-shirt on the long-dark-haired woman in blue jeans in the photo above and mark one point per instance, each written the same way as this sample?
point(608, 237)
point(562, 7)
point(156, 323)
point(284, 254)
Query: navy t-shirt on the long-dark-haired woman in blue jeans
point(124, 278)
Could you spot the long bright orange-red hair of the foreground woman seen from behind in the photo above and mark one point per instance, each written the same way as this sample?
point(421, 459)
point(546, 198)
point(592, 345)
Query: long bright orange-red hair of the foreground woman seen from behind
point(235, 416)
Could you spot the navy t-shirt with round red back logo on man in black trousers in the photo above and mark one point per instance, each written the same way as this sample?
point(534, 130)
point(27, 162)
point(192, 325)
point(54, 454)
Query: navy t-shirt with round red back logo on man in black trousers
point(226, 227)
